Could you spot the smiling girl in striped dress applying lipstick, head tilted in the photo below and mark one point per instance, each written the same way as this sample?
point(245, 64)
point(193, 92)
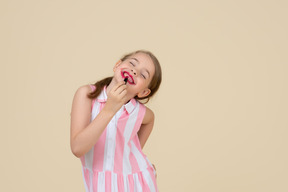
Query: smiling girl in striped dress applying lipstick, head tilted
point(110, 126)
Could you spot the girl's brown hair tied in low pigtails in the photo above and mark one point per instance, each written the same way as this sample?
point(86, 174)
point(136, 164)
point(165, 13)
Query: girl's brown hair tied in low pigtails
point(153, 86)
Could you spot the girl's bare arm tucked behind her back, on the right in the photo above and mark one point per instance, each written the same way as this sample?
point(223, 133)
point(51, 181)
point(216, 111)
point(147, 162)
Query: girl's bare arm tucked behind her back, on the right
point(146, 127)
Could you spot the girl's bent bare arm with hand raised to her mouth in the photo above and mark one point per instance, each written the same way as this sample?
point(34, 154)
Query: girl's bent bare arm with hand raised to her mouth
point(83, 134)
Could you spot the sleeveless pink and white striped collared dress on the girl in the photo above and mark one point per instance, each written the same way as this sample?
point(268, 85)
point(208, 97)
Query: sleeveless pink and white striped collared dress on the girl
point(116, 162)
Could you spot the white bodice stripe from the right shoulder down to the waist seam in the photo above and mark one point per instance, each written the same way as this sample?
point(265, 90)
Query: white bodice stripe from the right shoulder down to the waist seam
point(127, 134)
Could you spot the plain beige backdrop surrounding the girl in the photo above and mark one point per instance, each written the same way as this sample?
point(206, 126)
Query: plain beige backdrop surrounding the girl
point(221, 111)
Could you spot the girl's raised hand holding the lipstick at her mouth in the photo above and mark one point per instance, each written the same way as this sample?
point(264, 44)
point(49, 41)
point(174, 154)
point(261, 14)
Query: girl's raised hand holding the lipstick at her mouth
point(116, 97)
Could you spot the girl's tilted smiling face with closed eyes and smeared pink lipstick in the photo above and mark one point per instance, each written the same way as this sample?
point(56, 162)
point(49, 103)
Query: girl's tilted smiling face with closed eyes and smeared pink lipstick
point(139, 69)
